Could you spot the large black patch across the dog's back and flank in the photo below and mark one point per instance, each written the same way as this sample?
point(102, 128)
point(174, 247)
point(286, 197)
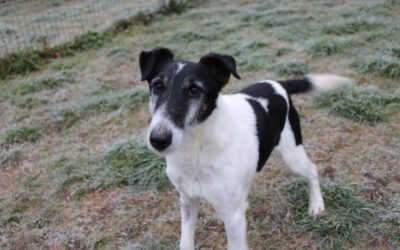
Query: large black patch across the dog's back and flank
point(269, 124)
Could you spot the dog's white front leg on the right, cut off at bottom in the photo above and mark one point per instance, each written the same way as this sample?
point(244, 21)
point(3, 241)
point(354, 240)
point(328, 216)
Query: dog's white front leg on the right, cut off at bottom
point(235, 226)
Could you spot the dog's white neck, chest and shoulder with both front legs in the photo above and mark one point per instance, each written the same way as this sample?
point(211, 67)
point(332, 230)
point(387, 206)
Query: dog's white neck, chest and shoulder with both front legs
point(205, 167)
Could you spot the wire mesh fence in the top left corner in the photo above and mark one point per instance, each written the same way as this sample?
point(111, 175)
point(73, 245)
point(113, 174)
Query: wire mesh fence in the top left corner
point(34, 24)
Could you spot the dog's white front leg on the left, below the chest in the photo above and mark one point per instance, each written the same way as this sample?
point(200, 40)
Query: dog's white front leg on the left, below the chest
point(189, 212)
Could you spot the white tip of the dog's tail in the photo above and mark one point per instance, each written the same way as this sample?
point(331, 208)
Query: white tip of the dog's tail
point(326, 82)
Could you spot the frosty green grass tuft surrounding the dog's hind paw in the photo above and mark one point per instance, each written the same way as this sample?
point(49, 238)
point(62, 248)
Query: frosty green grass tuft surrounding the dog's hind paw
point(344, 219)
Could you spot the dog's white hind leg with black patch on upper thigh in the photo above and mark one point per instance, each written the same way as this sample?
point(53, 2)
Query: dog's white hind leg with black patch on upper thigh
point(297, 160)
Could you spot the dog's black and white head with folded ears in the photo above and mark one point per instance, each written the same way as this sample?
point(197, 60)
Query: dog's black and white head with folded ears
point(183, 94)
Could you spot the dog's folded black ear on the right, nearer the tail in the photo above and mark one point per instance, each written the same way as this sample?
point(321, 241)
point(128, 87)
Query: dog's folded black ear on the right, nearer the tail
point(221, 66)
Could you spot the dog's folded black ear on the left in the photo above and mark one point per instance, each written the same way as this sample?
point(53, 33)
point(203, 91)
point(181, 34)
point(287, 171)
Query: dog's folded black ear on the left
point(151, 61)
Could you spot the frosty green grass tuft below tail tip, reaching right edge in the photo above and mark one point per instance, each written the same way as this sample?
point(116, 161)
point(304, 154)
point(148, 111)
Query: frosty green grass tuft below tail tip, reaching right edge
point(366, 104)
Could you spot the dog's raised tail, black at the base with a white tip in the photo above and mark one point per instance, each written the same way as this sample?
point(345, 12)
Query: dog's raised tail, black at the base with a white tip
point(317, 82)
